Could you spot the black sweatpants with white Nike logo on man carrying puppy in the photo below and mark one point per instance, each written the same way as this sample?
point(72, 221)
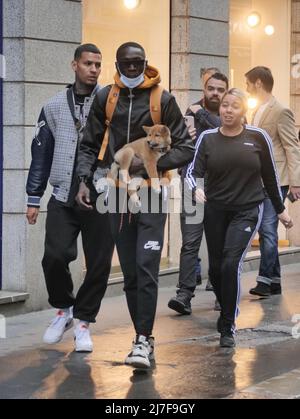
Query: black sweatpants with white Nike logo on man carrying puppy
point(139, 243)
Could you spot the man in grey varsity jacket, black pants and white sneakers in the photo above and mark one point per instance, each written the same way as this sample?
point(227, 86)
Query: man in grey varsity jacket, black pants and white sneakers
point(54, 152)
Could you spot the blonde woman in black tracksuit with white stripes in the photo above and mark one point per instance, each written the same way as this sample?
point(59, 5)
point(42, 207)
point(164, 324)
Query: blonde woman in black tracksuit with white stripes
point(239, 164)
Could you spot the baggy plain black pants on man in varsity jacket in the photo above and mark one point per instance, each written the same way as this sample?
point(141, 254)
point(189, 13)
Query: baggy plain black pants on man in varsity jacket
point(63, 225)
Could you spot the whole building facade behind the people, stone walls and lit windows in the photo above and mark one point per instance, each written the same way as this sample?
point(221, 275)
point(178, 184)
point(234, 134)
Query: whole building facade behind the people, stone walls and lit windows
point(181, 37)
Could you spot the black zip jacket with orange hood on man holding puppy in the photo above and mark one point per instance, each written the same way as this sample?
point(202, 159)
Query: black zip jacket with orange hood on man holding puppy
point(131, 113)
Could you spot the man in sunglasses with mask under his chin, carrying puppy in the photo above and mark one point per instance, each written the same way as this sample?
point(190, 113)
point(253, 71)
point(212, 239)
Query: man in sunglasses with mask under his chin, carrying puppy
point(139, 236)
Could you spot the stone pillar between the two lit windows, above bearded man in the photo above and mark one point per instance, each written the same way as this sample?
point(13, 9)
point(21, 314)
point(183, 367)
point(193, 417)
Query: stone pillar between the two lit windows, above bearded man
point(200, 38)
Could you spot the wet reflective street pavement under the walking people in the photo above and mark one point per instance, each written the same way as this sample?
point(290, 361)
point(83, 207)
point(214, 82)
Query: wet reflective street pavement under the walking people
point(189, 362)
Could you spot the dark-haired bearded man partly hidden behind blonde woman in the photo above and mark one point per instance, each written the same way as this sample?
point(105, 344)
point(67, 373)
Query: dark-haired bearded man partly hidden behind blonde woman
point(206, 116)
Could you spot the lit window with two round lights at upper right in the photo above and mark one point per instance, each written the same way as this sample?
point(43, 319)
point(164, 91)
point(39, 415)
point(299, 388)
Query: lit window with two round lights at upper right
point(260, 34)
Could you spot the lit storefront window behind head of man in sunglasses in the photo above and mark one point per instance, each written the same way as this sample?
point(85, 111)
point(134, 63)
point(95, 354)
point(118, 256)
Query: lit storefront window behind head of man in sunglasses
point(110, 23)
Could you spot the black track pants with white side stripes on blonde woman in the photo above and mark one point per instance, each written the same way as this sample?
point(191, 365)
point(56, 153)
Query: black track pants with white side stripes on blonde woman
point(228, 235)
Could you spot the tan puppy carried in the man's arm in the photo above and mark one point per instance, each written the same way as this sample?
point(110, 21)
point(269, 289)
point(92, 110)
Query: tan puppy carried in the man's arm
point(149, 149)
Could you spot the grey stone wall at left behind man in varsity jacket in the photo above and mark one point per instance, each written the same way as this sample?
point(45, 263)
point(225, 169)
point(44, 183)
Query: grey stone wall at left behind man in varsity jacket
point(40, 37)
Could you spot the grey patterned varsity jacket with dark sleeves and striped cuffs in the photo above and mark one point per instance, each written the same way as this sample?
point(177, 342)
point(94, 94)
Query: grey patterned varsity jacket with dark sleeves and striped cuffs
point(54, 148)
